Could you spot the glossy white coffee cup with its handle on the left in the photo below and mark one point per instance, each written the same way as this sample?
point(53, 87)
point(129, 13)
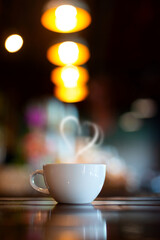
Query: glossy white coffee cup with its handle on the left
point(71, 182)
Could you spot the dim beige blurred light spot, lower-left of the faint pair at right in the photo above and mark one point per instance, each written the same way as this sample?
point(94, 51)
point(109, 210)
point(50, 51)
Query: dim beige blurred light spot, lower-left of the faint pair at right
point(129, 122)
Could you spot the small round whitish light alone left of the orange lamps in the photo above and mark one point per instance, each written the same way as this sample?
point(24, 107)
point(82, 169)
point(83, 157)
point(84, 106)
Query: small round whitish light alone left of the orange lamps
point(13, 43)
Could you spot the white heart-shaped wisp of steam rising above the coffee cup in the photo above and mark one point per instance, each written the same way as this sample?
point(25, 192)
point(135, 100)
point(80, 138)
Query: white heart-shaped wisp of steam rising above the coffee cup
point(76, 121)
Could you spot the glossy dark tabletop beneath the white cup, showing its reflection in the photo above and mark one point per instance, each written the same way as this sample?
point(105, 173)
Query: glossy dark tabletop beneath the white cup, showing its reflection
point(134, 218)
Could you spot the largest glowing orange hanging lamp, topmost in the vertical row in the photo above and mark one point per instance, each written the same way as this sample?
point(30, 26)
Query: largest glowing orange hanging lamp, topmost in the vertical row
point(65, 18)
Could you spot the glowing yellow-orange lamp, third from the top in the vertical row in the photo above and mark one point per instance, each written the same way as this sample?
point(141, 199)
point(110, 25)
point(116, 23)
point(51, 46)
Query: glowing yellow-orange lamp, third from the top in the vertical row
point(69, 76)
